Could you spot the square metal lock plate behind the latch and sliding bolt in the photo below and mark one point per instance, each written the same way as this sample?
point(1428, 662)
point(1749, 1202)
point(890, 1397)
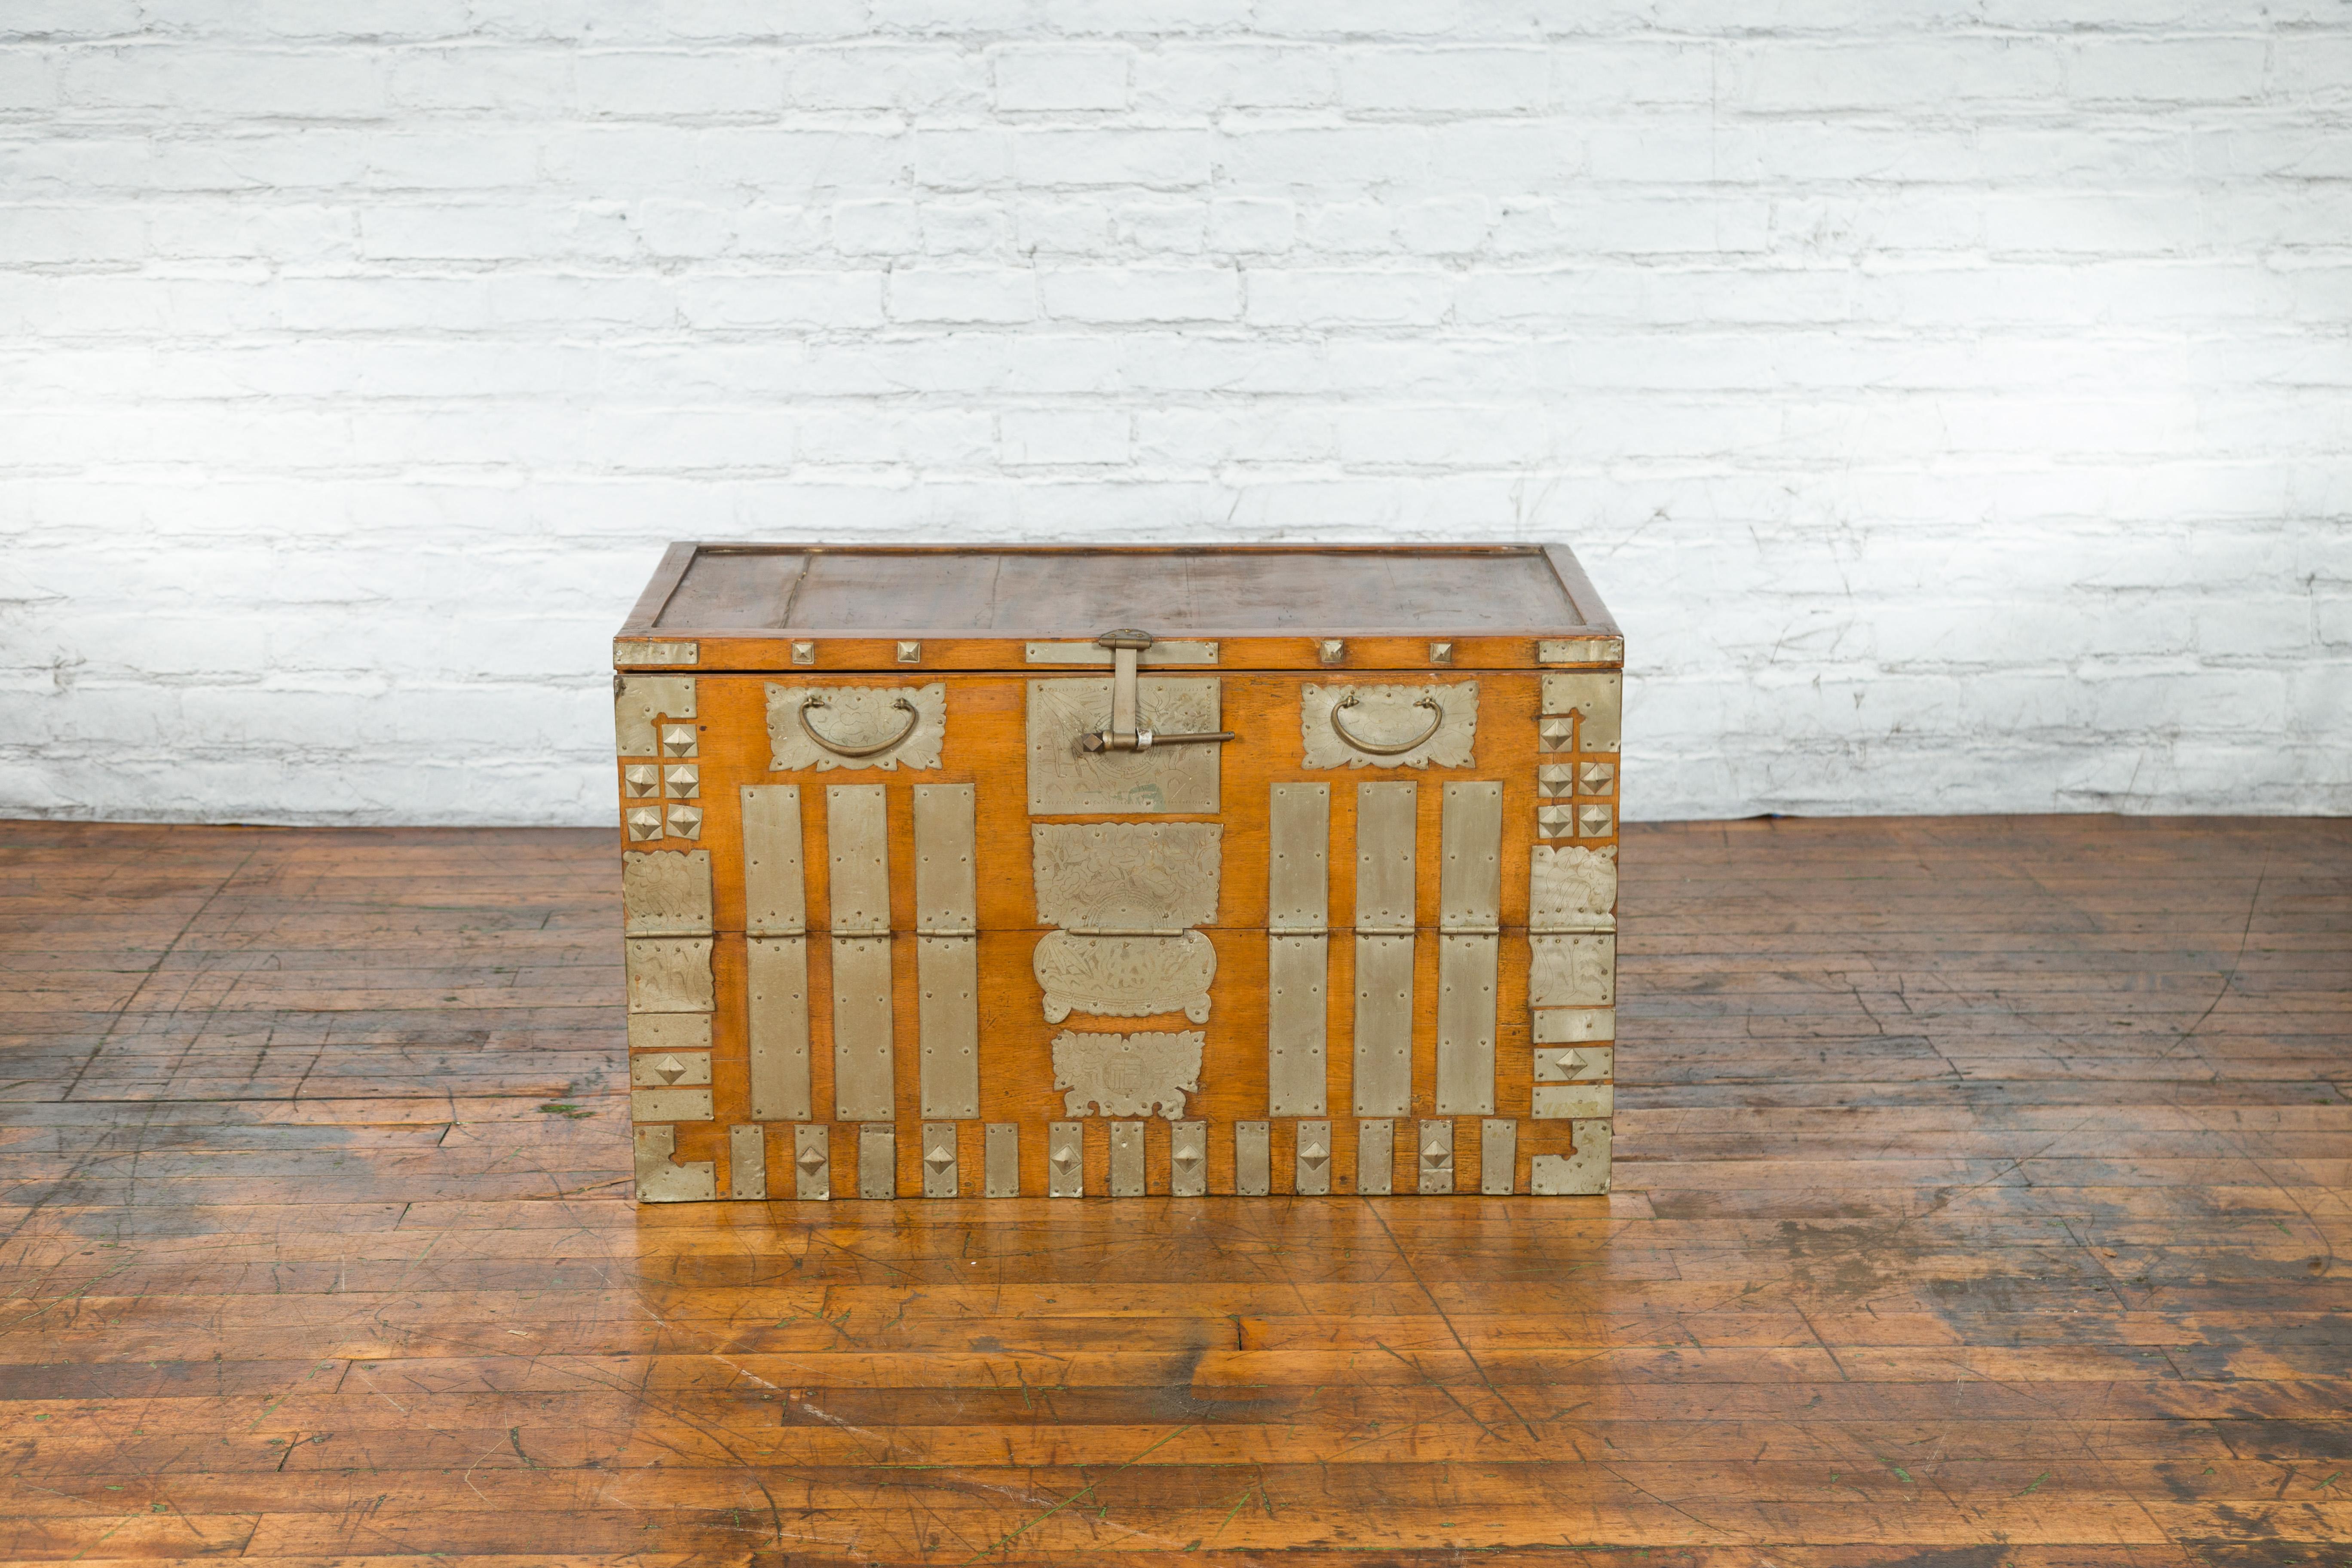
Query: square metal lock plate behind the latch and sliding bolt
point(1067, 779)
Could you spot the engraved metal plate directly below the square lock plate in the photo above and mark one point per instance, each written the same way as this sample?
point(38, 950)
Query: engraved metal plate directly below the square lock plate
point(1123, 878)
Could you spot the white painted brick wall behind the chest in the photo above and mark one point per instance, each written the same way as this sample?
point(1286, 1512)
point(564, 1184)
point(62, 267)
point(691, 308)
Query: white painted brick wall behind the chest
point(1951, 398)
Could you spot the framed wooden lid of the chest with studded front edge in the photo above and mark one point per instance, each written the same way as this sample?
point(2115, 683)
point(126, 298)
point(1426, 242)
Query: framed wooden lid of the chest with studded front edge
point(1024, 608)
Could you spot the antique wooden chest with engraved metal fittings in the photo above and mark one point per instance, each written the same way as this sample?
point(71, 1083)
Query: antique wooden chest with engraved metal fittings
point(1118, 871)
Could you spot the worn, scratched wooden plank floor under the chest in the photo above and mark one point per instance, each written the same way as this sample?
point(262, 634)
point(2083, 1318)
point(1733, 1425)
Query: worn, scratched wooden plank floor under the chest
point(1982, 1200)
